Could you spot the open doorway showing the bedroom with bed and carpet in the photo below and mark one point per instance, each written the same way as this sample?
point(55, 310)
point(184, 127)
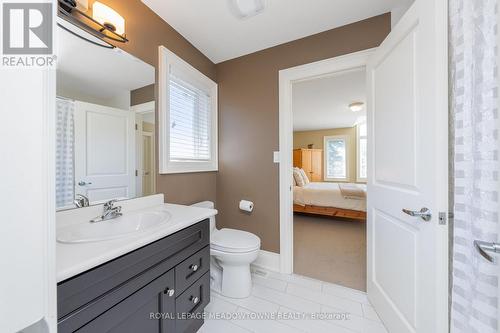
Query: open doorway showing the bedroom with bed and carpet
point(329, 203)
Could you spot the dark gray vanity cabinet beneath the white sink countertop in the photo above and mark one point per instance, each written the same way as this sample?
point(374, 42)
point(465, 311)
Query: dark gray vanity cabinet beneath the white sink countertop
point(161, 287)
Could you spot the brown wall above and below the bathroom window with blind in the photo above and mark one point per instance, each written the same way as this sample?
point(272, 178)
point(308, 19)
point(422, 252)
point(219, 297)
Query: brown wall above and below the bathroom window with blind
point(146, 31)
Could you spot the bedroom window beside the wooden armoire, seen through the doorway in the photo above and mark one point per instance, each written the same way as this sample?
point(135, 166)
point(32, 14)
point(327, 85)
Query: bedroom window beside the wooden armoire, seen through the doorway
point(335, 158)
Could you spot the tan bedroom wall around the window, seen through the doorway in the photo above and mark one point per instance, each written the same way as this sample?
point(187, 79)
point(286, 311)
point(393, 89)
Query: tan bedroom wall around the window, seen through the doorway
point(303, 138)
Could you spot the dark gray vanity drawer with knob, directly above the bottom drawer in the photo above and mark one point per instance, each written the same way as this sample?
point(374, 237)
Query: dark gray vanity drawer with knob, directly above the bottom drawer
point(192, 269)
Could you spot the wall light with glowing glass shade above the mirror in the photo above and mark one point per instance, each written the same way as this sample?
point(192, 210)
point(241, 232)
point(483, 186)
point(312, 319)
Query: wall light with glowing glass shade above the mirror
point(105, 23)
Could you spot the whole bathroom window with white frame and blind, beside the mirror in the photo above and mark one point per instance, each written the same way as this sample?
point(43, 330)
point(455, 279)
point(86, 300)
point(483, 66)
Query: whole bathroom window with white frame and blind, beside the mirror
point(188, 117)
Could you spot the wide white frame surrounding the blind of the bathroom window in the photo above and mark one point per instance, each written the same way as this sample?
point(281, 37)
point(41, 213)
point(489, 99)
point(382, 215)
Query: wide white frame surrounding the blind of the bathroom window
point(167, 60)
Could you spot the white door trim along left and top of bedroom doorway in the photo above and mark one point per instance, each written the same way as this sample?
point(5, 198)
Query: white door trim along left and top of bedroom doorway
point(287, 77)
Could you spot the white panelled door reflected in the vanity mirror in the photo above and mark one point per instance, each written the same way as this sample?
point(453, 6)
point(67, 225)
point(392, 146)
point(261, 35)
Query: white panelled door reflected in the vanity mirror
point(104, 152)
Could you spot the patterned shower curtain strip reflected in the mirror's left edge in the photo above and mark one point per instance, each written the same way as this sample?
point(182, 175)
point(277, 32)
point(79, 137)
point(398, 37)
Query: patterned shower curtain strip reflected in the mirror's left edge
point(64, 153)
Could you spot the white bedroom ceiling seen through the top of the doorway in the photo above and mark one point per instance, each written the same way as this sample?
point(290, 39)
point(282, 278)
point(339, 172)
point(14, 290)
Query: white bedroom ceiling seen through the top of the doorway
point(323, 103)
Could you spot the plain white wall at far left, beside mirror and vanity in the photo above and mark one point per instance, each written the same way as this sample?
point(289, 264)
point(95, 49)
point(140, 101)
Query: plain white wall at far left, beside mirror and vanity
point(27, 213)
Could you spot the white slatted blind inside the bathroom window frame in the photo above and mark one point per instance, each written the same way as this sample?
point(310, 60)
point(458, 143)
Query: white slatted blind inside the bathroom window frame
point(189, 122)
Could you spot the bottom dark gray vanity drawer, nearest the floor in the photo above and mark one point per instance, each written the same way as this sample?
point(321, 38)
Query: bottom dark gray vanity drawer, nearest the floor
point(190, 305)
